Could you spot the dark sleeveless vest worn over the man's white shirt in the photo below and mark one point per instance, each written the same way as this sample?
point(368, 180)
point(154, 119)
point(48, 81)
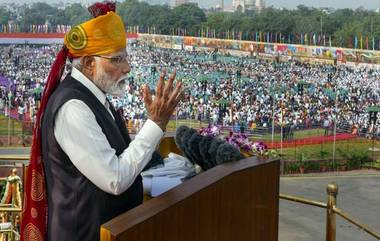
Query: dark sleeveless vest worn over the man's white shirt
point(76, 207)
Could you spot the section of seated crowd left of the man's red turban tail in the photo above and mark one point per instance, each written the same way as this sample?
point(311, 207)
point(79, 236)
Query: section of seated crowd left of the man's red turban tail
point(24, 70)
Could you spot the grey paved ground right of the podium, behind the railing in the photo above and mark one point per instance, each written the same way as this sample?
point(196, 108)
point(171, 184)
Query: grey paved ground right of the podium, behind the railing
point(359, 195)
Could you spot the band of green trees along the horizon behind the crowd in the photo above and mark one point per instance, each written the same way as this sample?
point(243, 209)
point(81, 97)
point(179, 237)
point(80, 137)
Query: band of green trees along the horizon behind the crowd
point(343, 24)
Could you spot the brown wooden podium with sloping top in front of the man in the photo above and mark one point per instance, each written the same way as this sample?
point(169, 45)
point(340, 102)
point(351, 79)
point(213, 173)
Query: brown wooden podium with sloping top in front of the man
point(232, 202)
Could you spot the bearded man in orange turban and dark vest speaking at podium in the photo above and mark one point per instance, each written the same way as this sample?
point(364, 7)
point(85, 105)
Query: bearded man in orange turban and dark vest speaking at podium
point(92, 167)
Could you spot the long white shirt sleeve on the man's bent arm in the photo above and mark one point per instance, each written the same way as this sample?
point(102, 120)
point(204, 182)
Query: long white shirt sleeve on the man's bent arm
point(82, 139)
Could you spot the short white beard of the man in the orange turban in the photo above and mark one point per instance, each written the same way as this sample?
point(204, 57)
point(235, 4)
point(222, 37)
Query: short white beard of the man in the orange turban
point(105, 82)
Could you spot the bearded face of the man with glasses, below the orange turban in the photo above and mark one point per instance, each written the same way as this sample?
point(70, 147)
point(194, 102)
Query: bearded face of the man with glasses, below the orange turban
point(110, 73)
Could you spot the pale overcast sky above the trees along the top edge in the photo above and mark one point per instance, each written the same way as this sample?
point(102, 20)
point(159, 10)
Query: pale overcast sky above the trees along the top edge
point(369, 4)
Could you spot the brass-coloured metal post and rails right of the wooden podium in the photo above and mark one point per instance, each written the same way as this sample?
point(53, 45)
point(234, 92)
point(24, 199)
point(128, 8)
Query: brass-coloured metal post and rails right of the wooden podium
point(331, 210)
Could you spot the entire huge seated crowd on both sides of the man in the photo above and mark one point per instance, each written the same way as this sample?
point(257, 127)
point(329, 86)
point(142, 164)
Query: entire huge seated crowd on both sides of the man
point(244, 92)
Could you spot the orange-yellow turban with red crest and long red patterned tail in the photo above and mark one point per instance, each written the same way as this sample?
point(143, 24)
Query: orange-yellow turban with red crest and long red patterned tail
point(104, 34)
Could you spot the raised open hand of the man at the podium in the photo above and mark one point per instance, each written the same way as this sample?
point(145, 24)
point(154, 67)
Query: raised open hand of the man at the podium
point(161, 107)
